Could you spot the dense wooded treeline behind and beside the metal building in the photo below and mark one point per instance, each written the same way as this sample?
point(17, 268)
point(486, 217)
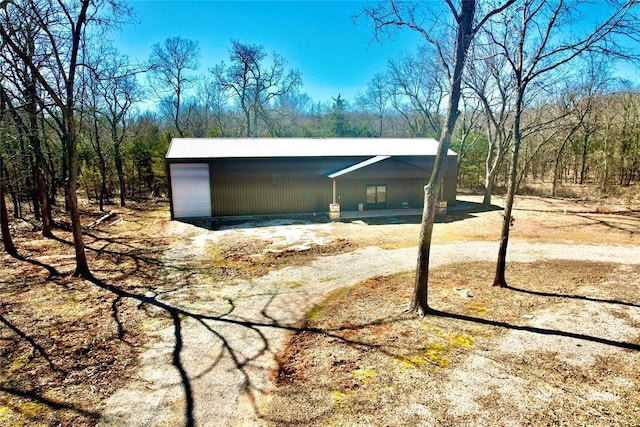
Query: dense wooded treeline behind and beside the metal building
point(75, 114)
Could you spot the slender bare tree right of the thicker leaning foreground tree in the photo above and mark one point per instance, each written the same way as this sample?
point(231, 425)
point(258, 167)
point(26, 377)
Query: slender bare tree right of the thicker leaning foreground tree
point(535, 43)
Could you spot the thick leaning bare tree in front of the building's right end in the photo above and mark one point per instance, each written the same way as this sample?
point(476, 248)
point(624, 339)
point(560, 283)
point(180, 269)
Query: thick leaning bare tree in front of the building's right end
point(393, 15)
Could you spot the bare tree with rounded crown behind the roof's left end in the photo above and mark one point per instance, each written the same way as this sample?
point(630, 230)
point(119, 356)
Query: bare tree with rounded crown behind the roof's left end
point(170, 78)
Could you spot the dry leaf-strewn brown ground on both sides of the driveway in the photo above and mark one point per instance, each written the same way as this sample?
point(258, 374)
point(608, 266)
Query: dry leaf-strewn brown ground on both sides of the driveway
point(67, 344)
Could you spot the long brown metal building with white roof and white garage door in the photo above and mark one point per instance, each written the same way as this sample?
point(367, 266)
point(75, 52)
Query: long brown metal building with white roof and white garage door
point(264, 176)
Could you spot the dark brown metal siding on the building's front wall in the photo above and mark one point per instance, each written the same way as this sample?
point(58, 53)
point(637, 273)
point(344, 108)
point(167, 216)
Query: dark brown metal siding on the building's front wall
point(300, 185)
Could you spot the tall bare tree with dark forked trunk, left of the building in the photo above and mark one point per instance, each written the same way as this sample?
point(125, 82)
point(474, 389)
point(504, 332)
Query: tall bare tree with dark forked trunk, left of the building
point(64, 26)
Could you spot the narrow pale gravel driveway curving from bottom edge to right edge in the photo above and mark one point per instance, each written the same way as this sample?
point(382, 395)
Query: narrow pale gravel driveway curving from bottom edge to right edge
point(225, 361)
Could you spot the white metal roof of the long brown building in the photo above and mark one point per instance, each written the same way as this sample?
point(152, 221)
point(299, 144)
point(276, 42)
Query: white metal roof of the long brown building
point(212, 148)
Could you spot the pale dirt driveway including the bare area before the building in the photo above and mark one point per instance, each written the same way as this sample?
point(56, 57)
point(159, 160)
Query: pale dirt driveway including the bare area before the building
point(214, 363)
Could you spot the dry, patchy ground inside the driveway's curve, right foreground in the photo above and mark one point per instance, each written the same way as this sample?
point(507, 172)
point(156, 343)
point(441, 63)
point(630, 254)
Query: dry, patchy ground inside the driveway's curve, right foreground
point(561, 348)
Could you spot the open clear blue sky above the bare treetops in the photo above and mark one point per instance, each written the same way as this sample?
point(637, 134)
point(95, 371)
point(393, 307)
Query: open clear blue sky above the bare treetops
point(318, 38)
